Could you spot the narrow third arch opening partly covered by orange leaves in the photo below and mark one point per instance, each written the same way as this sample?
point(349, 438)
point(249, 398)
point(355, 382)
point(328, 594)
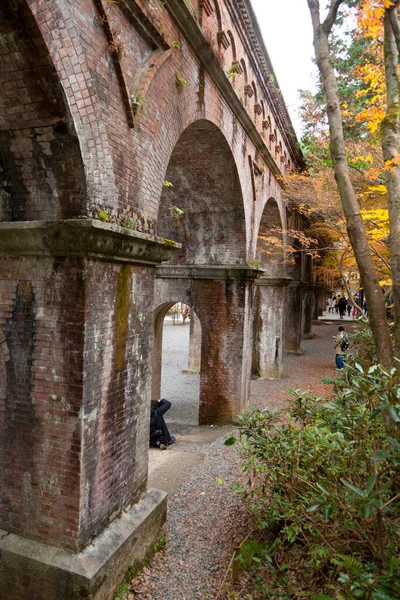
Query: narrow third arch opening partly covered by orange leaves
point(271, 240)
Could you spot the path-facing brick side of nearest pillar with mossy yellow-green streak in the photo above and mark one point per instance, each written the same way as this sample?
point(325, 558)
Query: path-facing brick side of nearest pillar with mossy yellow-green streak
point(118, 346)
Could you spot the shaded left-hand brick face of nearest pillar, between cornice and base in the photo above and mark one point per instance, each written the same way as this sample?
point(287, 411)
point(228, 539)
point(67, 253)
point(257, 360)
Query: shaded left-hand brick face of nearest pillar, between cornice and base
point(42, 322)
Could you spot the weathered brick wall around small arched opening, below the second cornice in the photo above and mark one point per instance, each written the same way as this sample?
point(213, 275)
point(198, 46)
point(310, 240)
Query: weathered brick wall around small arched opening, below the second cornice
point(222, 307)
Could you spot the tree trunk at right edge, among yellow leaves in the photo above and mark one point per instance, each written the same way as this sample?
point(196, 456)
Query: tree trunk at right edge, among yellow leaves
point(390, 133)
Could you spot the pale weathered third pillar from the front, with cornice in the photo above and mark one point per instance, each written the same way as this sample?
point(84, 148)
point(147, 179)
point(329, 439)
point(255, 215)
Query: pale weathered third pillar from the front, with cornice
point(268, 328)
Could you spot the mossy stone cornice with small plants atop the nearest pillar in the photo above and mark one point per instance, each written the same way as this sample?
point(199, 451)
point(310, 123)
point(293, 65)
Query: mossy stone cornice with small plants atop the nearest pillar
point(86, 238)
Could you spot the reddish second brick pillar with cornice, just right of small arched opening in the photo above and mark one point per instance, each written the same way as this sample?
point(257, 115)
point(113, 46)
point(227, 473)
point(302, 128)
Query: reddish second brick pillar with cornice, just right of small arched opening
point(223, 305)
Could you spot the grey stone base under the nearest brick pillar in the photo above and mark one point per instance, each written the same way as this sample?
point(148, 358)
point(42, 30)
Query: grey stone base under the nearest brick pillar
point(30, 569)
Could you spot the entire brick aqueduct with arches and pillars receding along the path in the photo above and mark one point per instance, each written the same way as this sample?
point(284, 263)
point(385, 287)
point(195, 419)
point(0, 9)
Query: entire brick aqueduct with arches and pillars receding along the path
point(101, 105)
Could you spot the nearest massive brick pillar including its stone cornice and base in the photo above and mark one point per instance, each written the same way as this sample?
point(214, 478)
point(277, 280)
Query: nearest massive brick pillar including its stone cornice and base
point(76, 351)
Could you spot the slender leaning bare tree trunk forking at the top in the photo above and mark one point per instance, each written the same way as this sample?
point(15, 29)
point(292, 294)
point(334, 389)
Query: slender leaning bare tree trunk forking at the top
point(354, 222)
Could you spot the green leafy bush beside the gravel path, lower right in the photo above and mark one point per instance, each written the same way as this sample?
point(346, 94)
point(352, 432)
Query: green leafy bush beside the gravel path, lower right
point(326, 483)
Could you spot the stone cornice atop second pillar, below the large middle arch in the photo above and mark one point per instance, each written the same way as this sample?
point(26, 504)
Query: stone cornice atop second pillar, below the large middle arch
point(211, 272)
